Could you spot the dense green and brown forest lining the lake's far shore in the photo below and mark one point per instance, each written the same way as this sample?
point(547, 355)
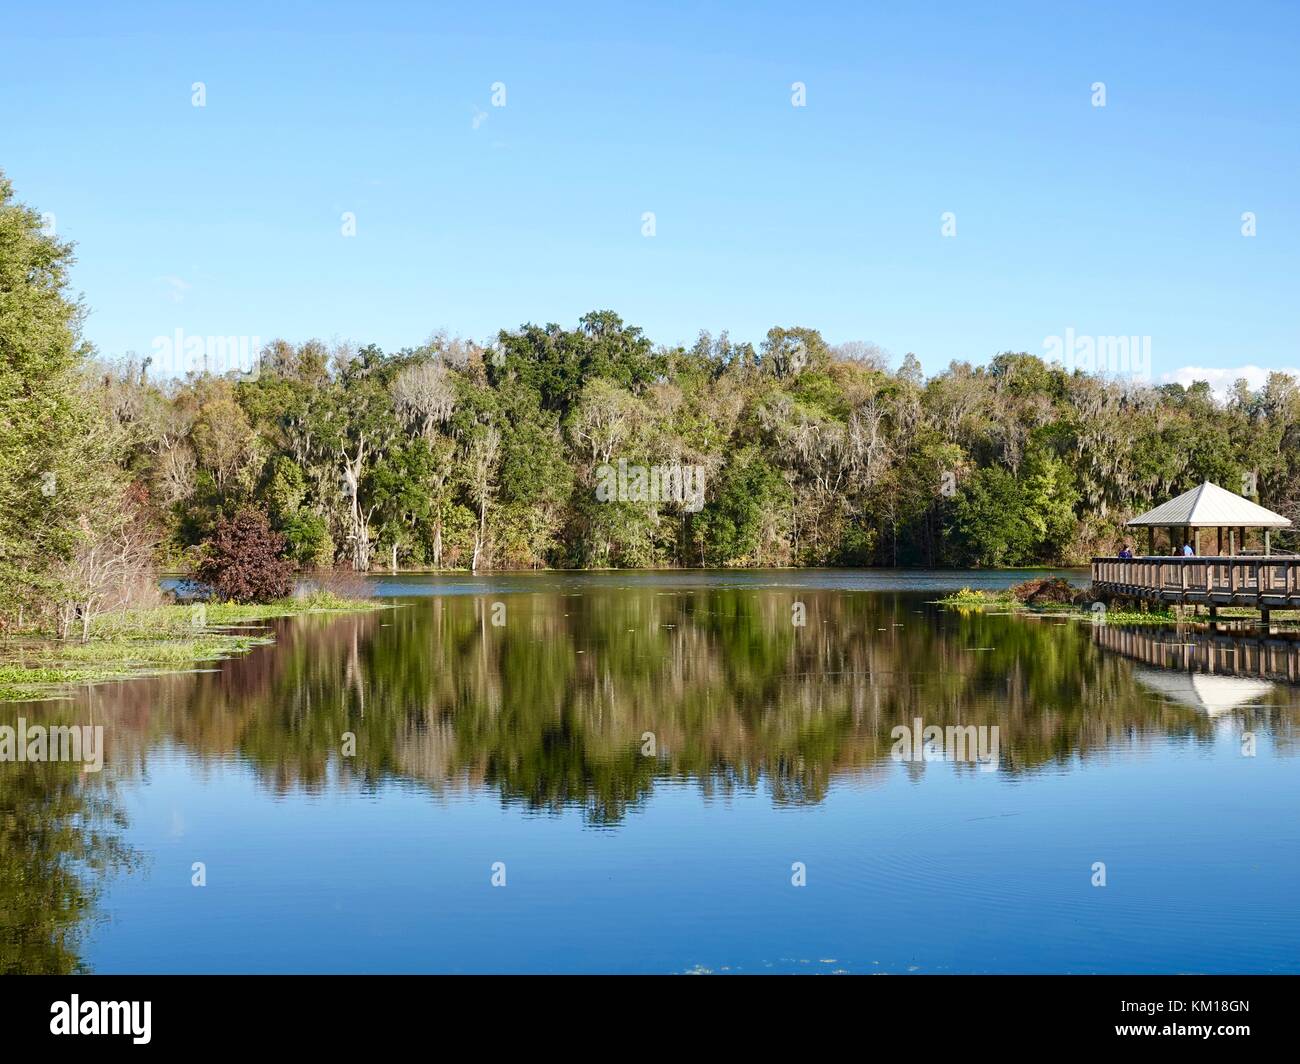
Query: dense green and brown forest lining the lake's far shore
point(458, 455)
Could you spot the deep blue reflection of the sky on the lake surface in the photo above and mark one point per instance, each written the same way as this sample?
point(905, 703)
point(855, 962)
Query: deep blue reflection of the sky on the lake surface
point(954, 873)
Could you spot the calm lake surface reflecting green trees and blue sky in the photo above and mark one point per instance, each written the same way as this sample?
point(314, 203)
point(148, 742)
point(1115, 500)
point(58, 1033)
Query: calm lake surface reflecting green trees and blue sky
point(523, 743)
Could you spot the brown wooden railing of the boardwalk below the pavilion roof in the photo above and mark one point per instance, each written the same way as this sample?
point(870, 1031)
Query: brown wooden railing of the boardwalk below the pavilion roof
point(1267, 582)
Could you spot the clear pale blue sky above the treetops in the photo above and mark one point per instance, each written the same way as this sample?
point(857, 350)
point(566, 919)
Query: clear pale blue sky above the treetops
point(1124, 220)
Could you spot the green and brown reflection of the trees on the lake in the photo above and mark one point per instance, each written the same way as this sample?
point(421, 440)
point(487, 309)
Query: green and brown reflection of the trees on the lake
point(591, 699)
